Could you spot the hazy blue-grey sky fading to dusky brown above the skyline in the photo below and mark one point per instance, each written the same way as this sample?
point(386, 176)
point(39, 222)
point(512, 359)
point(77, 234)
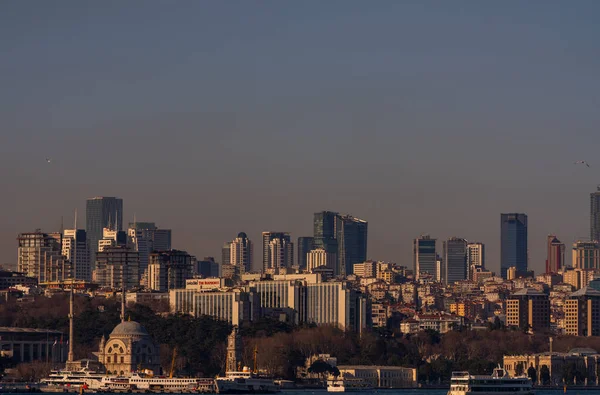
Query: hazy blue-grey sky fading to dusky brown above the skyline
point(216, 117)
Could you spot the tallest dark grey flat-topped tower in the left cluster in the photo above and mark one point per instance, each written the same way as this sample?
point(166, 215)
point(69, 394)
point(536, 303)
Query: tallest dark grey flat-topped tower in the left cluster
point(101, 212)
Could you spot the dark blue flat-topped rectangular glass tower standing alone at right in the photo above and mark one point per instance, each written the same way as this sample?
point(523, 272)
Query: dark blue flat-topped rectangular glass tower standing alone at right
point(513, 243)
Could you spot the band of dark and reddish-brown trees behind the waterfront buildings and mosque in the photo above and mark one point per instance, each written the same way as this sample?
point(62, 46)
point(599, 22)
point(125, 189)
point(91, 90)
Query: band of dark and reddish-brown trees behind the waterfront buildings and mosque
point(283, 348)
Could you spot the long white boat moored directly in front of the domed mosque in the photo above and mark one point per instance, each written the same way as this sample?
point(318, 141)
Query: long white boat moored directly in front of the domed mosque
point(147, 382)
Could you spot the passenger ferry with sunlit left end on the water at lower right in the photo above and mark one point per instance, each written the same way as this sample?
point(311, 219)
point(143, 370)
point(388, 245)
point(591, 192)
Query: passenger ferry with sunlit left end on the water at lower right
point(463, 383)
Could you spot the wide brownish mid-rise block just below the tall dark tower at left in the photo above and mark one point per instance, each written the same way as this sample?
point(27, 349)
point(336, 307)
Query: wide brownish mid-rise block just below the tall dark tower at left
point(116, 265)
